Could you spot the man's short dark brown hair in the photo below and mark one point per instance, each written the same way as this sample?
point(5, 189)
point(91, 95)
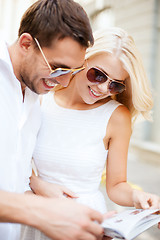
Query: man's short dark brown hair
point(49, 20)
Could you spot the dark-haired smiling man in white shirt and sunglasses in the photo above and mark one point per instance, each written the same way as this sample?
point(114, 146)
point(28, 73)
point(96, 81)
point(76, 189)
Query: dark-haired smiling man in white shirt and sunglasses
point(53, 37)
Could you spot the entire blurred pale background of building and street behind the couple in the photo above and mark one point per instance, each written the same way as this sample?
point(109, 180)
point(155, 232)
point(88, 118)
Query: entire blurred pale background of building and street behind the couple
point(140, 18)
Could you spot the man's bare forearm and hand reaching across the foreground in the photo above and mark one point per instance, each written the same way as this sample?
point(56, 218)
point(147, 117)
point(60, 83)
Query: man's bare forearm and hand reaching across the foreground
point(58, 218)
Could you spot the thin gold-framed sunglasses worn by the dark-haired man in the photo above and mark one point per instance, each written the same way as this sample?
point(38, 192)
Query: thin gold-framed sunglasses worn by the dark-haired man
point(58, 71)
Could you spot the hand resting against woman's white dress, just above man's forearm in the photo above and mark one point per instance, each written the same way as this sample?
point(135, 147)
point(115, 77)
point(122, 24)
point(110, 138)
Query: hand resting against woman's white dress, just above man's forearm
point(47, 189)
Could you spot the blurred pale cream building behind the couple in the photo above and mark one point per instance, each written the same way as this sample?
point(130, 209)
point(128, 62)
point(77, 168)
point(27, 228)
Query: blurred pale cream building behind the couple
point(141, 18)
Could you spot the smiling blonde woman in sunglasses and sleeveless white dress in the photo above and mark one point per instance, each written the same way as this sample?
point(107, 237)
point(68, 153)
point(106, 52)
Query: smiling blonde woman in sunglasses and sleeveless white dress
point(89, 124)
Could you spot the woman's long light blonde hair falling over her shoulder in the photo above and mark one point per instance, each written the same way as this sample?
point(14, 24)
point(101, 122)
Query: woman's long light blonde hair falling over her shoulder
point(137, 97)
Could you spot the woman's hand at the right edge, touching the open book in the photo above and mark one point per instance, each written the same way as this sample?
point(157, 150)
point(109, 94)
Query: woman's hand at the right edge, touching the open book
point(145, 200)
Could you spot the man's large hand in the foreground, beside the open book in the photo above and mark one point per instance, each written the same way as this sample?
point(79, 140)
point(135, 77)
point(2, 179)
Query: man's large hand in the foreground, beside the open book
point(65, 219)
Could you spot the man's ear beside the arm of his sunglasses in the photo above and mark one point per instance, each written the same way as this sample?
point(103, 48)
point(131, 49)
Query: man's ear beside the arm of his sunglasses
point(25, 41)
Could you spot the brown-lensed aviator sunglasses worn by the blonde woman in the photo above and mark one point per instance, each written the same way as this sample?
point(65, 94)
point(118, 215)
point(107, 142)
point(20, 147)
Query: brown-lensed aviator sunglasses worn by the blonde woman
point(96, 76)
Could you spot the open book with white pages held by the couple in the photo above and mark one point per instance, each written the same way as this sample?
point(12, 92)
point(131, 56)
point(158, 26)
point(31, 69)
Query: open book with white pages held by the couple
point(130, 223)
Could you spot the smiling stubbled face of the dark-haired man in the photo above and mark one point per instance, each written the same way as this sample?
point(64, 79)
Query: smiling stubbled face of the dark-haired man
point(35, 73)
